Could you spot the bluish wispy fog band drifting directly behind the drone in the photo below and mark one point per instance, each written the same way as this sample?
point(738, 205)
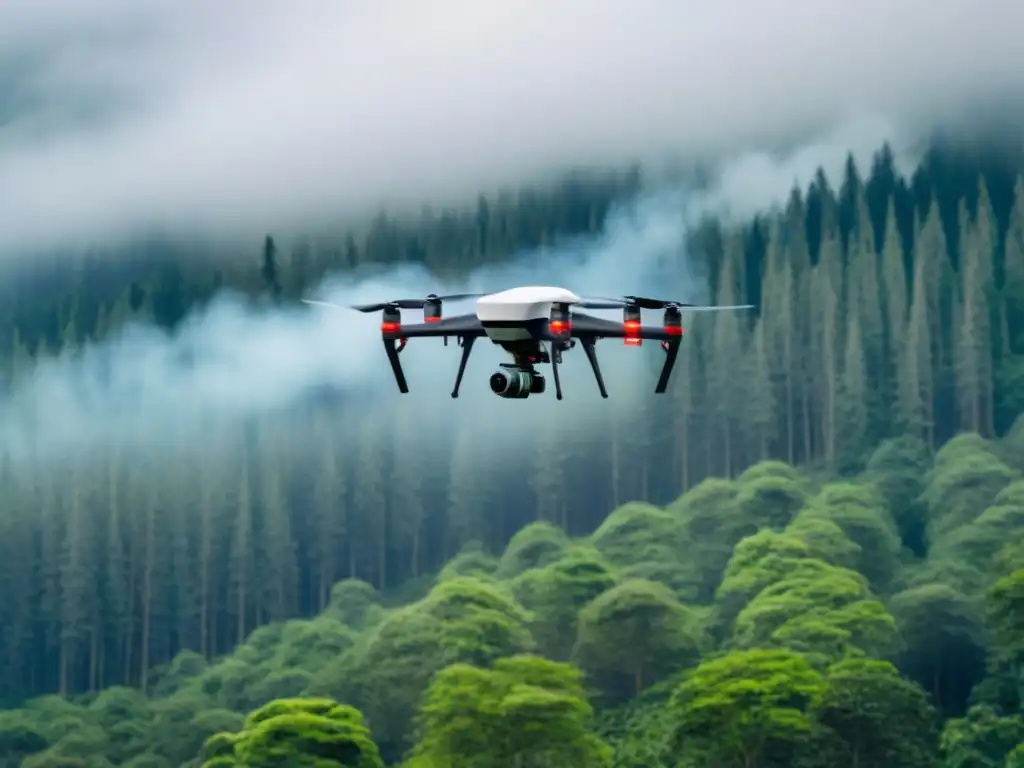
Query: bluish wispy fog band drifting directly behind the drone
point(233, 362)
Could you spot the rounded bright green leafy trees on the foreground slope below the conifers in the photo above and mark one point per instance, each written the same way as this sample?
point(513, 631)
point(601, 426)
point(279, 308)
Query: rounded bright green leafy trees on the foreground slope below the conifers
point(772, 620)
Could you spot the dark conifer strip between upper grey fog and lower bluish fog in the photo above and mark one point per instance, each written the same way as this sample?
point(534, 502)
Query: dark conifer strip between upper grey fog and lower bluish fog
point(53, 300)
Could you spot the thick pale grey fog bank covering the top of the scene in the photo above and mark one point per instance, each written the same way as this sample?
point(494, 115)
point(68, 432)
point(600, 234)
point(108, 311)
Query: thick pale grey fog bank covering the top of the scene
point(117, 116)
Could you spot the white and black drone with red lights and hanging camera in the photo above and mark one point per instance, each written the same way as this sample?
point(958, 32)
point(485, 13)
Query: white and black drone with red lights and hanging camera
point(527, 322)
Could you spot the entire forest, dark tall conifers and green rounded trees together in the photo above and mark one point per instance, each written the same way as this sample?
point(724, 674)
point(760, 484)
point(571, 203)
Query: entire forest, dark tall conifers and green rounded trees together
point(809, 553)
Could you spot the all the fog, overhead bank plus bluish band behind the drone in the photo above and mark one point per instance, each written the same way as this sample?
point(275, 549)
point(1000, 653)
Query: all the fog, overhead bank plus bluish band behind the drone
point(118, 116)
